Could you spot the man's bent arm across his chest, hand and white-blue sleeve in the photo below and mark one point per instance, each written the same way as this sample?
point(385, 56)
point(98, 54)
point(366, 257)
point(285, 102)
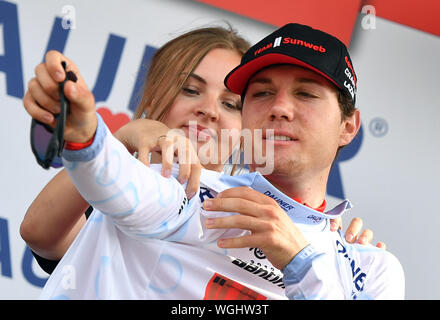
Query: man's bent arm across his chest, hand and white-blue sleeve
point(306, 271)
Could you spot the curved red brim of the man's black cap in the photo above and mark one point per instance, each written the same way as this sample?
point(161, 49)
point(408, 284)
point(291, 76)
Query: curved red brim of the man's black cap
point(238, 78)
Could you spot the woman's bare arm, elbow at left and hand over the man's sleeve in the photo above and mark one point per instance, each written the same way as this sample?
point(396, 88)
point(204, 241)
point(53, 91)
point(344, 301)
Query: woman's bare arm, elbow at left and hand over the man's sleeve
point(56, 215)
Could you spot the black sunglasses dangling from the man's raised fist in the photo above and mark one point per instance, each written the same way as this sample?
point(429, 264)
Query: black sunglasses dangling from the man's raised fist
point(47, 143)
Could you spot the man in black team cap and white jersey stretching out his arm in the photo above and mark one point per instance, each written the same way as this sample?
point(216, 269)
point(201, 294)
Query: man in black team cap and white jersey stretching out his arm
point(293, 81)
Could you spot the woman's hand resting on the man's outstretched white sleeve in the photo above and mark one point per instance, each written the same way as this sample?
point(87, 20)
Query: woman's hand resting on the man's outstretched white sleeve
point(145, 136)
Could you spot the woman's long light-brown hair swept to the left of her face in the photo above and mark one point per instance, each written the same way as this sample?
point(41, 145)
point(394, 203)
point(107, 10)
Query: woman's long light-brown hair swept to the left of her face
point(176, 60)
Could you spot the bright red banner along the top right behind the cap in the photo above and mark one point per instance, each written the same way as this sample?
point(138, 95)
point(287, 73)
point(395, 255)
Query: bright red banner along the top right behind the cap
point(337, 17)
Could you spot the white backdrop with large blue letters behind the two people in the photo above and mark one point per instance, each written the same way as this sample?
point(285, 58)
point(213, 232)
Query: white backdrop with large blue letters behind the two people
point(390, 174)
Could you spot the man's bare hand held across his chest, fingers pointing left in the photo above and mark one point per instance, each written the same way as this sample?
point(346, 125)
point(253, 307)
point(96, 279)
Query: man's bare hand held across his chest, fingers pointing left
point(271, 228)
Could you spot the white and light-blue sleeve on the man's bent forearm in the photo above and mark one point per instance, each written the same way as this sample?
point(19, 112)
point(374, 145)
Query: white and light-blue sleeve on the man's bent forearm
point(309, 277)
